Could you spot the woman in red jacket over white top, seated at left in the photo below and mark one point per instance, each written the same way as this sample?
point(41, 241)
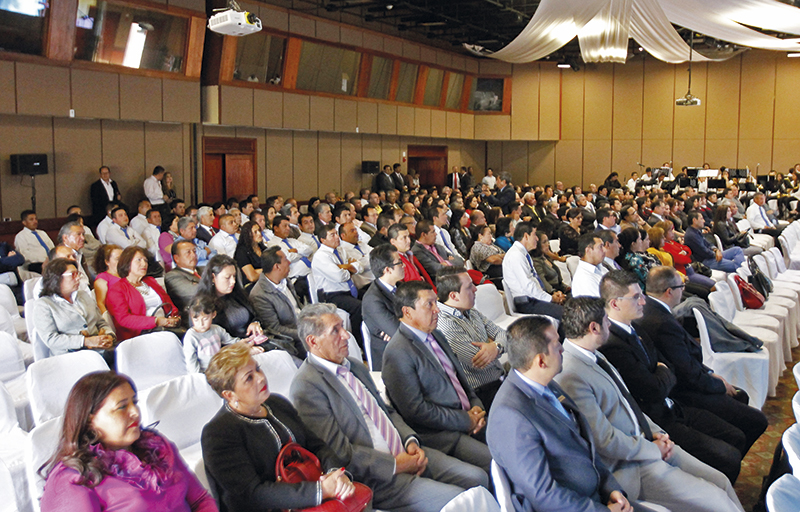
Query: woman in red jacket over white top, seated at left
point(135, 301)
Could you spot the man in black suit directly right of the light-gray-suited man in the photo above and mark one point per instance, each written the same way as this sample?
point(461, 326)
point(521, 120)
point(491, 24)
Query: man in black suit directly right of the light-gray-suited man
point(699, 432)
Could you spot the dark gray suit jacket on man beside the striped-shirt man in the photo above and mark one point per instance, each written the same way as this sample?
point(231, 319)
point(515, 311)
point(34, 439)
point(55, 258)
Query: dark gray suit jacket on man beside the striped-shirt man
point(420, 390)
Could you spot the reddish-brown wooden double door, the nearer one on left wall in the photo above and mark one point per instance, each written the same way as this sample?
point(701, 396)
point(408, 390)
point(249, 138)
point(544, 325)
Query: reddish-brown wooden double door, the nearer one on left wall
point(229, 168)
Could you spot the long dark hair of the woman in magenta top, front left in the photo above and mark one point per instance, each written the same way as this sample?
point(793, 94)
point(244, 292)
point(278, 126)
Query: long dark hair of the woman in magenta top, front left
point(77, 435)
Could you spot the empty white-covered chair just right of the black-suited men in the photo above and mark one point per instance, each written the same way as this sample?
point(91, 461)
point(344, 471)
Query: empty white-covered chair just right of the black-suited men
point(746, 370)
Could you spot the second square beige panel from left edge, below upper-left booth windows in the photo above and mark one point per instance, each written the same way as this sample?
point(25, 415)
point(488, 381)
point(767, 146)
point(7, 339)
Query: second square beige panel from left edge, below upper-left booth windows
point(42, 90)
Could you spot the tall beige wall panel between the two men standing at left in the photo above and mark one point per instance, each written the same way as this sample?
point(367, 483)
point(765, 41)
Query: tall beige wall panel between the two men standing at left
point(123, 152)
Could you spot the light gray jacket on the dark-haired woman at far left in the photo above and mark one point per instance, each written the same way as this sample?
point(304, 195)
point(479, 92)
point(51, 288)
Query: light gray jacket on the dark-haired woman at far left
point(60, 325)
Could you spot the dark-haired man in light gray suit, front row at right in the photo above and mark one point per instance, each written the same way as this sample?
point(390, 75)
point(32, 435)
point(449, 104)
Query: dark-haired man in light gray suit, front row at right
point(643, 459)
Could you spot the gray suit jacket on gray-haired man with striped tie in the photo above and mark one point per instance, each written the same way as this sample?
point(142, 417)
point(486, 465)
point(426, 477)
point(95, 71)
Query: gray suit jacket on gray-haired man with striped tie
point(326, 406)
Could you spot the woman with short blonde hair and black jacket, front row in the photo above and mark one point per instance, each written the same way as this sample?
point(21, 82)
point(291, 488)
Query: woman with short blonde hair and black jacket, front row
point(242, 441)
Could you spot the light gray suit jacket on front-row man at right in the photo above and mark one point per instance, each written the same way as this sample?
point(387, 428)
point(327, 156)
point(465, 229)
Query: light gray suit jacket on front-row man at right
point(613, 429)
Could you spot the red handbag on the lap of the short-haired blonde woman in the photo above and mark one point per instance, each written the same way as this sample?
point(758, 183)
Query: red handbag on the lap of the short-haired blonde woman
point(295, 464)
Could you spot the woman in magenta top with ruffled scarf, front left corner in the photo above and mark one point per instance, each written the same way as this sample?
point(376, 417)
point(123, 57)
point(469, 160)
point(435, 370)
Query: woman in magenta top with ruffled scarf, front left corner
point(106, 461)
